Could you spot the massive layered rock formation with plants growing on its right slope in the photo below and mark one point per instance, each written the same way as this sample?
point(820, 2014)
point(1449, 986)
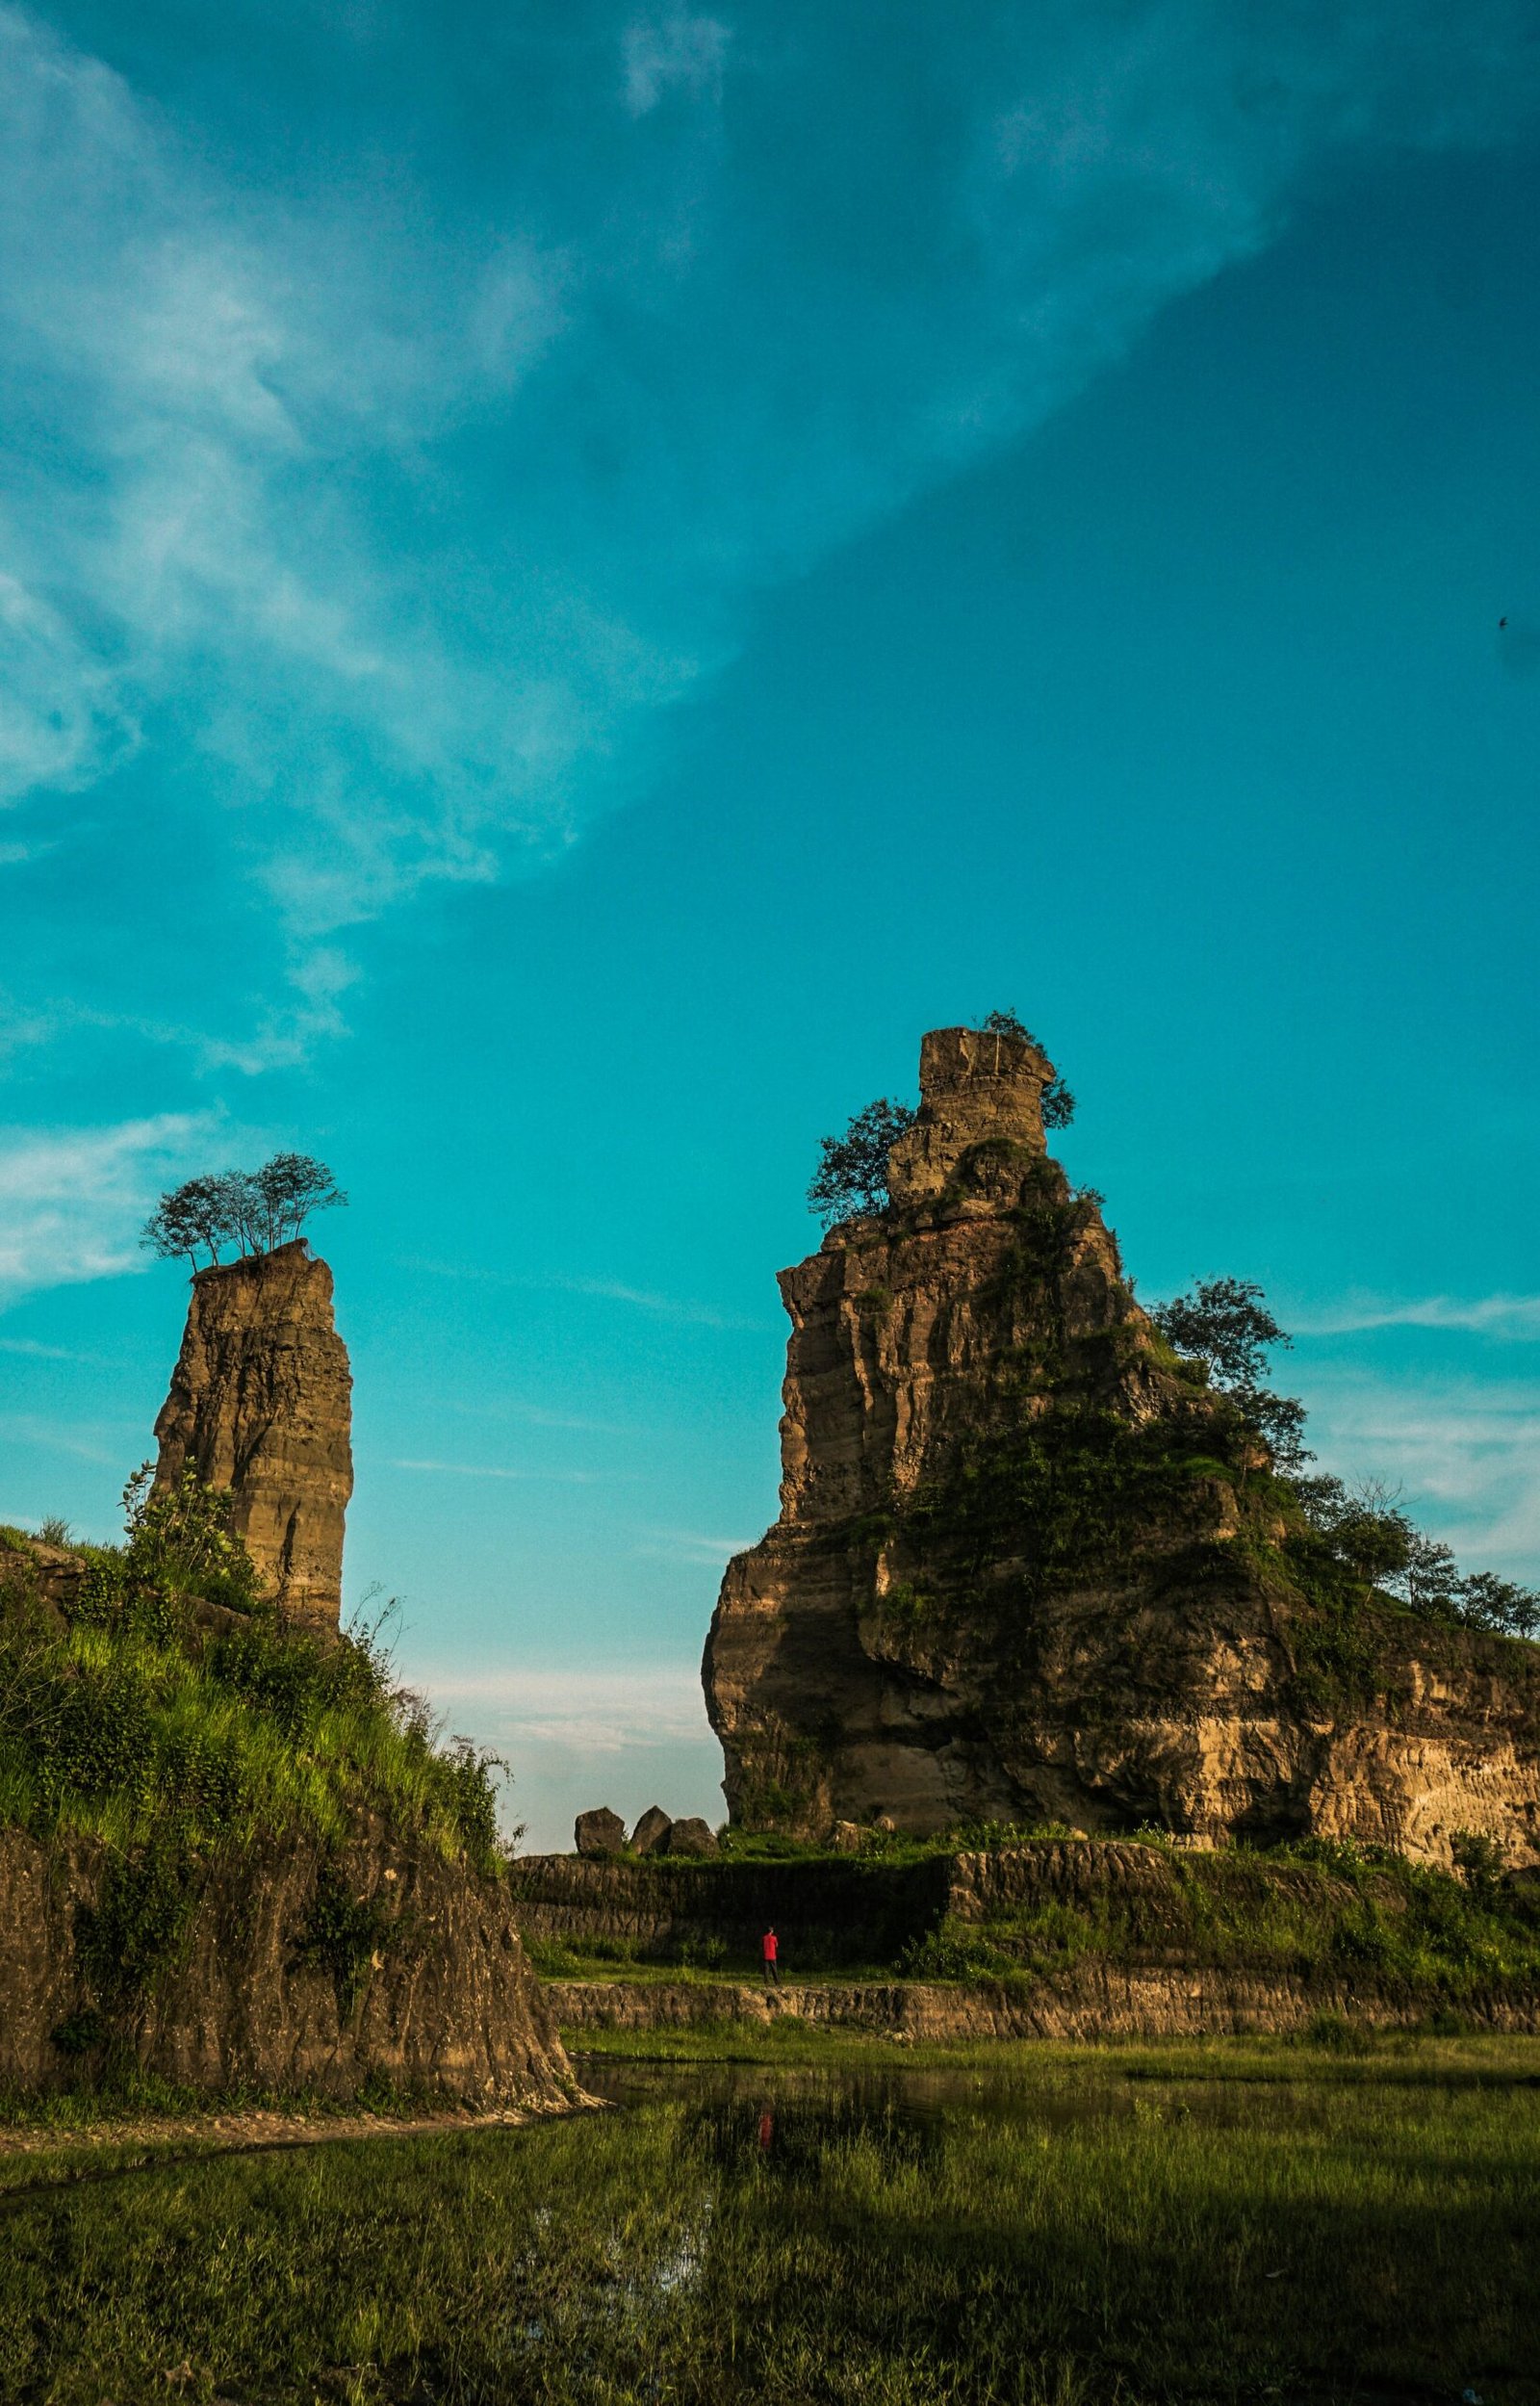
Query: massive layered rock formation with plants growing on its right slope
point(1029, 1568)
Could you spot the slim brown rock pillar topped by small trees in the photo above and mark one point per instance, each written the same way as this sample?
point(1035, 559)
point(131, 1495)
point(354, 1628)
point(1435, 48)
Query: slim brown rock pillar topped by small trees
point(261, 1404)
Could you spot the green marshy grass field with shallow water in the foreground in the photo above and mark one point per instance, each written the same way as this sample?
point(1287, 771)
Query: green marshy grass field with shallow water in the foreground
point(1048, 2229)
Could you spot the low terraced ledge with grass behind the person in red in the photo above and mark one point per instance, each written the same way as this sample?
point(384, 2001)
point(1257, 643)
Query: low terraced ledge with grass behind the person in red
point(1043, 1940)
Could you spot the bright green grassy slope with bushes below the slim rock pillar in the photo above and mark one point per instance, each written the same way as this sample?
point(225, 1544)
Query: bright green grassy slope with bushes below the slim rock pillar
point(136, 1719)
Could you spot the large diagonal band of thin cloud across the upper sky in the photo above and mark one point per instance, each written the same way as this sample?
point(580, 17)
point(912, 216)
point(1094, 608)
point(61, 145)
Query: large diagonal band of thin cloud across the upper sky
point(410, 514)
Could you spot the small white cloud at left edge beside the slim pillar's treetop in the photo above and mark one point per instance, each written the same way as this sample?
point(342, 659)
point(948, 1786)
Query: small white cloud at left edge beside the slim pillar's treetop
point(71, 1199)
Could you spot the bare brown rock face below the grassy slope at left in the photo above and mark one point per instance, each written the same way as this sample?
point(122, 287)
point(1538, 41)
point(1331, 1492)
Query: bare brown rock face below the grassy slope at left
point(295, 1967)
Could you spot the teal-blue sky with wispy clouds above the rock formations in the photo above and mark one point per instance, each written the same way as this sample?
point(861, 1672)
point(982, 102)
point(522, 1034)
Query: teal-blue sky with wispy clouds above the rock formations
point(571, 579)
